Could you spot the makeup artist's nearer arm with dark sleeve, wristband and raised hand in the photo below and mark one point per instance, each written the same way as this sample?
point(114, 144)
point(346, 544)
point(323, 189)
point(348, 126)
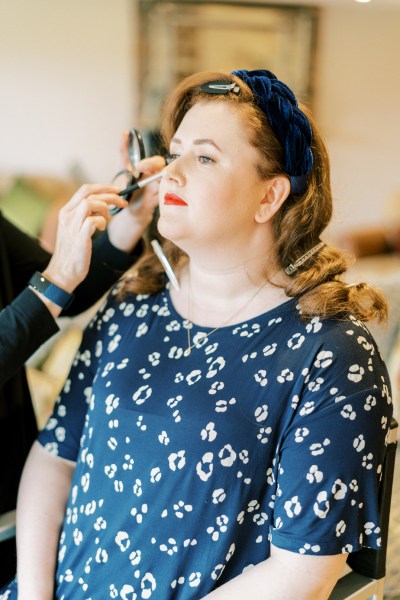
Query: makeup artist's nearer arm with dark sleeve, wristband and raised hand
point(28, 317)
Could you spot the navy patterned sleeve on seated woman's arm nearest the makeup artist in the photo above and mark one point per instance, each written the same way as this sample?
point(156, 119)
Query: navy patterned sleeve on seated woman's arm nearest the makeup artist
point(62, 433)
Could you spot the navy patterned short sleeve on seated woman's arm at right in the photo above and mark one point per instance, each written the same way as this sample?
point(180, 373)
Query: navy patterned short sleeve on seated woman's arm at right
point(331, 457)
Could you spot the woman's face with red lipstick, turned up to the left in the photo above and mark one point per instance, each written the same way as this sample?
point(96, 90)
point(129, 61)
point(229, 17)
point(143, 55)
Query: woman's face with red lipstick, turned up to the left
point(211, 191)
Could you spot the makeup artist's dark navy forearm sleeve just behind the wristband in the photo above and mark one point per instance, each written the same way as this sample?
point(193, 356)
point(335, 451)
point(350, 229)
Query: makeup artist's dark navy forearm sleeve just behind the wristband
point(25, 325)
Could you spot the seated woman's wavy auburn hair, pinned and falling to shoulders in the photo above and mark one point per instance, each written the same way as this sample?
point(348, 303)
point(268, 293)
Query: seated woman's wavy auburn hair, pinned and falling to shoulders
point(297, 226)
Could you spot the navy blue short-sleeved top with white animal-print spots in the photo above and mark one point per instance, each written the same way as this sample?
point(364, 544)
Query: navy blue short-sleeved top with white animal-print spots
point(188, 468)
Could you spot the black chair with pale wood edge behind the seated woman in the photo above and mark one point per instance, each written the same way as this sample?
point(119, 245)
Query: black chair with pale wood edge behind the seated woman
point(364, 577)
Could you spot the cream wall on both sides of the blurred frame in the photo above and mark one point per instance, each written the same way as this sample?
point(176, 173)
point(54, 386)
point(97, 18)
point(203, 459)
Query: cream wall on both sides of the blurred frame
point(67, 73)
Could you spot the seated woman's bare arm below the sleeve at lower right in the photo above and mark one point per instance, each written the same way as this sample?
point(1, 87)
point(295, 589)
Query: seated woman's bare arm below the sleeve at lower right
point(285, 575)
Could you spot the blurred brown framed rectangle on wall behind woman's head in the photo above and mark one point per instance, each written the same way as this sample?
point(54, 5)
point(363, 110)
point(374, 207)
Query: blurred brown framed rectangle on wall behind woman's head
point(181, 37)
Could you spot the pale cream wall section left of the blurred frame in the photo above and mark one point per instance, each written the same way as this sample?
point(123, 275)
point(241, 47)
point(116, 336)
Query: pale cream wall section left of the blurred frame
point(66, 77)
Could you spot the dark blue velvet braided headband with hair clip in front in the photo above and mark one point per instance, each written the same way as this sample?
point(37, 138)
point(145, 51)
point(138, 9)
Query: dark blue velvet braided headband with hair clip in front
point(289, 123)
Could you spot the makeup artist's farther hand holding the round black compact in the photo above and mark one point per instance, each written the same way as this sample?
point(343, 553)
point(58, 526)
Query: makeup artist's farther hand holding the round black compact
point(127, 227)
